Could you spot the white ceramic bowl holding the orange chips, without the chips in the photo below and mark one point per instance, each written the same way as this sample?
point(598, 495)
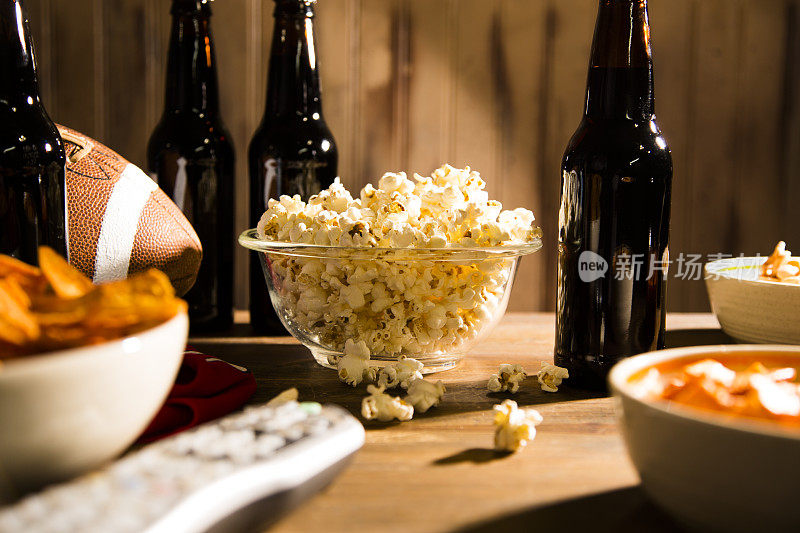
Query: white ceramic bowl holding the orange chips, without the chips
point(64, 413)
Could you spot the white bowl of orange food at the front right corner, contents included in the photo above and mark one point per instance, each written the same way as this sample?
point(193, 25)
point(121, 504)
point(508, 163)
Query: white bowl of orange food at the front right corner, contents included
point(716, 444)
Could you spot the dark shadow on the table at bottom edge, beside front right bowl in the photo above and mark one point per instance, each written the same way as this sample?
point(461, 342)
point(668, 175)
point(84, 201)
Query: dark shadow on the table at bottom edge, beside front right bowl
point(616, 511)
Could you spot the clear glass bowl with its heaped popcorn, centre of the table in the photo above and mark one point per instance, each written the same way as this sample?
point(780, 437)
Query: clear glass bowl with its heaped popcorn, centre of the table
point(419, 268)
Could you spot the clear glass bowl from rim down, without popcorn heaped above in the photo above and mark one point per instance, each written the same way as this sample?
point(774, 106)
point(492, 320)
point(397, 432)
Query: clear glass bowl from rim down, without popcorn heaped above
point(431, 304)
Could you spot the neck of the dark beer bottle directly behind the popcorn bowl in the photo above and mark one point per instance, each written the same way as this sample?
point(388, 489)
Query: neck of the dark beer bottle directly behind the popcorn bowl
point(293, 81)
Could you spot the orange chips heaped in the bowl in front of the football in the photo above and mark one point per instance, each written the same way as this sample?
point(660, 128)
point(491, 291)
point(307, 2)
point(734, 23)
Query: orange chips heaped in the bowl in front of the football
point(56, 307)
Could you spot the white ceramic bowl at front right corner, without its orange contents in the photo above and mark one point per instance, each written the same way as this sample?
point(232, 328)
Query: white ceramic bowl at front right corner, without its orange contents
point(713, 472)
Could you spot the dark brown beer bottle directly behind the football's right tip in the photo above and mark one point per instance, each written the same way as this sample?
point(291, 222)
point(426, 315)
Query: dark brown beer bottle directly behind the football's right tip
point(191, 156)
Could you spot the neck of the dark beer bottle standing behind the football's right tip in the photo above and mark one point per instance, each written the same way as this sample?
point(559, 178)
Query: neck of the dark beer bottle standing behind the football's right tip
point(191, 67)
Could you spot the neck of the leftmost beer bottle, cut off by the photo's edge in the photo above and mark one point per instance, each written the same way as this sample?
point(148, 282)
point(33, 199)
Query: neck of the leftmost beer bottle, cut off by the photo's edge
point(17, 61)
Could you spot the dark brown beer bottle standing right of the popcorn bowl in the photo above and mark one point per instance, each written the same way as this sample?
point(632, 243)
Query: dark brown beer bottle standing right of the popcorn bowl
point(615, 204)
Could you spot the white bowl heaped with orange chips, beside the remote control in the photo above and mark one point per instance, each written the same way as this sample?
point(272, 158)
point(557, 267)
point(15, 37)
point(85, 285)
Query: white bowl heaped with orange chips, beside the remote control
point(83, 367)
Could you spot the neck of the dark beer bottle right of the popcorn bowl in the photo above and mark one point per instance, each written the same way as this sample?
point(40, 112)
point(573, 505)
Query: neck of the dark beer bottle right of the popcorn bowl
point(620, 81)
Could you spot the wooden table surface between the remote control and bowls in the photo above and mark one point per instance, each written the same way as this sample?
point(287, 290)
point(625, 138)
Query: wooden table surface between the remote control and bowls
point(438, 472)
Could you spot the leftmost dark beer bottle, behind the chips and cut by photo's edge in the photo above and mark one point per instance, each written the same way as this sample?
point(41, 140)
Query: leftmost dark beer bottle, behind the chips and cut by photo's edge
point(33, 202)
